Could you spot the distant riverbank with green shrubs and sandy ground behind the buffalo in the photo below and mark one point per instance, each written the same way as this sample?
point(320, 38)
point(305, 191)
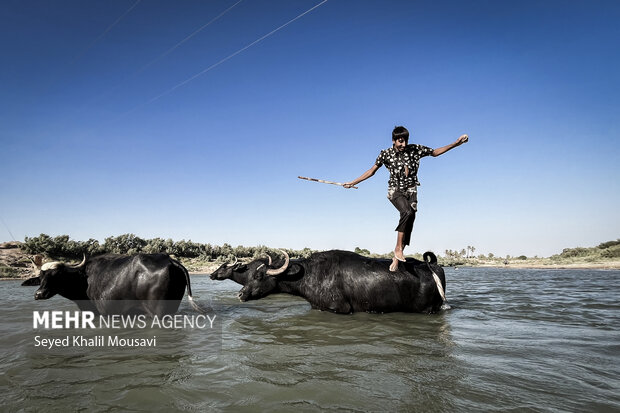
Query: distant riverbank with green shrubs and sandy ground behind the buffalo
point(196, 256)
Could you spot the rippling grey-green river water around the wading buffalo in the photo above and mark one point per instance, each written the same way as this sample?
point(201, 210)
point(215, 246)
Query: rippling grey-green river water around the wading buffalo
point(513, 340)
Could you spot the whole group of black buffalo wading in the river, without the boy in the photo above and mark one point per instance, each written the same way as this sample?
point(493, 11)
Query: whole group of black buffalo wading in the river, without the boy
point(337, 281)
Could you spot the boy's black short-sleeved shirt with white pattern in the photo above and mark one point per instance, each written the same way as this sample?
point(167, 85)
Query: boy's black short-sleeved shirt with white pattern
point(396, 162)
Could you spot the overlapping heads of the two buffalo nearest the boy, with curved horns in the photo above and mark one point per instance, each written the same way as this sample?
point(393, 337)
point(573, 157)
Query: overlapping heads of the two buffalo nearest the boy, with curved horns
point(257, 277)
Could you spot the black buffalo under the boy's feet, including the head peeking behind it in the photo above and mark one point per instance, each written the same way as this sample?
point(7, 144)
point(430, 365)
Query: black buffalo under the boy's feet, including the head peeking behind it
point(344, 282)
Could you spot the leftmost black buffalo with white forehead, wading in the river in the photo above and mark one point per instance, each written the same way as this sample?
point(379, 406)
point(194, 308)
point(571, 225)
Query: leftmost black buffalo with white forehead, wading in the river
point(151, 284)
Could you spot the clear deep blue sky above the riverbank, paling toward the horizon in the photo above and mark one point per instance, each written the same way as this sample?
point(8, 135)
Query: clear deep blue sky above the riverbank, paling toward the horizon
point(96, 142)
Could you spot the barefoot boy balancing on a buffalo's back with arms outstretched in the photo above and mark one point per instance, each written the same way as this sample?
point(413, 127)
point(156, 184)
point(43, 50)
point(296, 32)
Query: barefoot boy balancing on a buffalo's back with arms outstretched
point(403, 160)
